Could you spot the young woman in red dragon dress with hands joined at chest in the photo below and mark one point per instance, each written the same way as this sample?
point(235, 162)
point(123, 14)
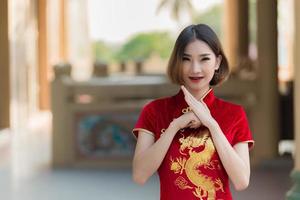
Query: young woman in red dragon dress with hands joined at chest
point(196, 141)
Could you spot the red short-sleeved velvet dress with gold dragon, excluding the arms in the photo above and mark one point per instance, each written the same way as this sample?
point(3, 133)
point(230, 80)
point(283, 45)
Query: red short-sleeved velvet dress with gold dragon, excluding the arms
point(192, 168)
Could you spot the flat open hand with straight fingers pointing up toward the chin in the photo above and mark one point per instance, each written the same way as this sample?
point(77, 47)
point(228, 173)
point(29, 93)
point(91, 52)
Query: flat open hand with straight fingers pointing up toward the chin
point(199, 108)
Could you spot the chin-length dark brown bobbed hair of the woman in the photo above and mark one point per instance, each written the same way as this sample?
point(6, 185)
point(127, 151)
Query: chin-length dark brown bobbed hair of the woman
point(196, 32)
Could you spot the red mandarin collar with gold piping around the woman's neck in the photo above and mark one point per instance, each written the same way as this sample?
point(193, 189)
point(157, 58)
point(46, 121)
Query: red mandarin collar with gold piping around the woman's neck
point(208, 98)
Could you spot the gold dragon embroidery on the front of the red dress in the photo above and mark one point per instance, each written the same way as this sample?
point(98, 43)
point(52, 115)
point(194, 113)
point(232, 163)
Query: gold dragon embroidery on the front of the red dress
point(203, 186)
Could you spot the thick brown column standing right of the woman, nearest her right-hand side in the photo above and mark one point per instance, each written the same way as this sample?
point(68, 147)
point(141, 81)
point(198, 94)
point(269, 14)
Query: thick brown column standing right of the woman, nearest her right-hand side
point(266, 112)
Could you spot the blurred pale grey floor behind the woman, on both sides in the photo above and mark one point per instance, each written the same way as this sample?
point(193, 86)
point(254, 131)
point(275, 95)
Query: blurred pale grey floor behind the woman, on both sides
point(25, 174)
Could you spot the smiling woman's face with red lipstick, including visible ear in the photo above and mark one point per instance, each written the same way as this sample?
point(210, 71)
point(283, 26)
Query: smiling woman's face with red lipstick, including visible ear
point(199, 65)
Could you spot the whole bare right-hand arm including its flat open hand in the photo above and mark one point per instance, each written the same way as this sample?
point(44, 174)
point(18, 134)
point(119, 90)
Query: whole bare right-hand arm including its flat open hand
point(234, 159)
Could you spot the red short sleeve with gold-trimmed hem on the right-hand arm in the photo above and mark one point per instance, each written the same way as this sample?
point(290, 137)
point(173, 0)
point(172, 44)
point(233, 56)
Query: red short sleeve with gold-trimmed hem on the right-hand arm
point(241, 130)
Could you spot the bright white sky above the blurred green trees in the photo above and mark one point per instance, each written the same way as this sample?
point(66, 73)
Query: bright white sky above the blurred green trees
point(115, 20)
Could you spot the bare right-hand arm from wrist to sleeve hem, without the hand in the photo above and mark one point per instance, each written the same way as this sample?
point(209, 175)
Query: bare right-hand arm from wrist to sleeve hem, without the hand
point(234, 159)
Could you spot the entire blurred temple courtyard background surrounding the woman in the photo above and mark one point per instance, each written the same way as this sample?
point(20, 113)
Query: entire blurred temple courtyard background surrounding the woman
point(74, 75)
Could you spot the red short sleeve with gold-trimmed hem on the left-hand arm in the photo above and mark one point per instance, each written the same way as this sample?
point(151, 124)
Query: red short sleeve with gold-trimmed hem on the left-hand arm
point(146, 121)
